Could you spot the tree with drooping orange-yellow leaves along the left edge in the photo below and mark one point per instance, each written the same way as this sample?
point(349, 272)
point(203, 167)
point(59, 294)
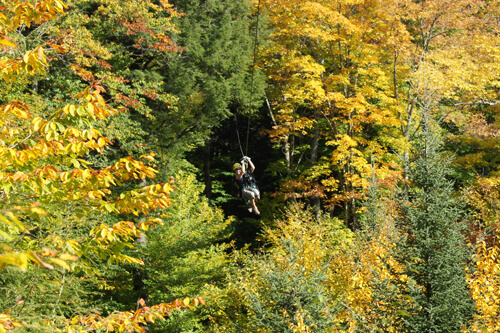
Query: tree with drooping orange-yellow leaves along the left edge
point(61, 215)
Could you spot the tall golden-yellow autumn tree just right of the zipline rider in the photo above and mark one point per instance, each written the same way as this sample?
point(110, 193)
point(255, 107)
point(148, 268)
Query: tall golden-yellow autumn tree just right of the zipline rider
point(332, 96)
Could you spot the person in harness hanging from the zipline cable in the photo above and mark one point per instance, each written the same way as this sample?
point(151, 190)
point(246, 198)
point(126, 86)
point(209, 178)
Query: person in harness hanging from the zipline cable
point(247, 183)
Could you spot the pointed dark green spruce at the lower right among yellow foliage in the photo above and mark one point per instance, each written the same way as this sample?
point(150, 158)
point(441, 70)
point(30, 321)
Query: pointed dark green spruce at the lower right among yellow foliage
point(427, 289)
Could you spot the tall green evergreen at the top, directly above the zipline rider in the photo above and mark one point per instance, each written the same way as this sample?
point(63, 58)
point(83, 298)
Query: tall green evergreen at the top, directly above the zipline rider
point(214, 71)
